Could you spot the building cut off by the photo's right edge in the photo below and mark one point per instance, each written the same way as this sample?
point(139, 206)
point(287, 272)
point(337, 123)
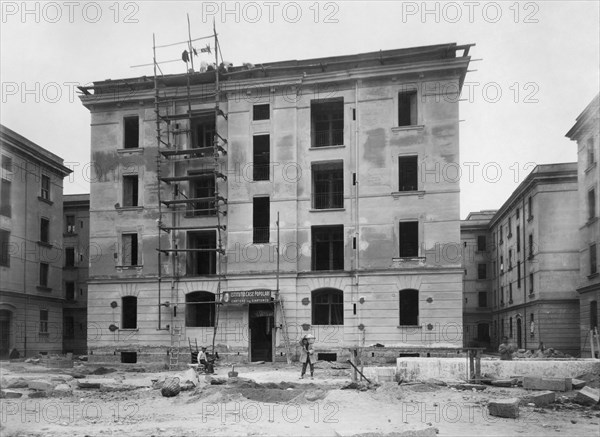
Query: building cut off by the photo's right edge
point(586, 133)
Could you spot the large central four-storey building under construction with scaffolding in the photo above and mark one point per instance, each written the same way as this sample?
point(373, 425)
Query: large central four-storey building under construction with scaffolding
point(351, 153)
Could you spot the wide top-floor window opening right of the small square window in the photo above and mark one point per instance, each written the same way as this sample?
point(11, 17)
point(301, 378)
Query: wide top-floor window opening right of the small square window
point(327, 122)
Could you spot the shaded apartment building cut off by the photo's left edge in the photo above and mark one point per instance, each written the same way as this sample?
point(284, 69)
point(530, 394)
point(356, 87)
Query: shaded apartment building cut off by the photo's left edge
point(31, 241)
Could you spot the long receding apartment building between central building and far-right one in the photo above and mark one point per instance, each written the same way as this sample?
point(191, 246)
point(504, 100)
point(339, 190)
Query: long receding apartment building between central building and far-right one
point(522, 282)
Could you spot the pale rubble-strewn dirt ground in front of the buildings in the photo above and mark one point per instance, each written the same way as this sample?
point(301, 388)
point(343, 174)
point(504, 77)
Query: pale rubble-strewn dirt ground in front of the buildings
point(266, 400)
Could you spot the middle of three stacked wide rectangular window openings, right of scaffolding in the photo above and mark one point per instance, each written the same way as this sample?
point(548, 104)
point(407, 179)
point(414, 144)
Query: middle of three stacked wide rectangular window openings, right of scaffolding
point(328, 185)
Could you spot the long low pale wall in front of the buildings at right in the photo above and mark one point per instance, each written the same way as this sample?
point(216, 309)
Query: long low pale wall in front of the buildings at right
point(412, 369)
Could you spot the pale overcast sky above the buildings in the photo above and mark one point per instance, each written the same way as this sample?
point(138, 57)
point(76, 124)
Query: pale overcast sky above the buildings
point(534, 68)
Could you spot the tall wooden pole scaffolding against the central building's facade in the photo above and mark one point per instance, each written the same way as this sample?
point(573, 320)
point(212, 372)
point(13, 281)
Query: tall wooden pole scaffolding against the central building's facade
point(177, 163)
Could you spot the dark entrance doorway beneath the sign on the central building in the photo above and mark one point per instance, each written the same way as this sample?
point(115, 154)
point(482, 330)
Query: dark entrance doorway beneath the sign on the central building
point(261, 319)
